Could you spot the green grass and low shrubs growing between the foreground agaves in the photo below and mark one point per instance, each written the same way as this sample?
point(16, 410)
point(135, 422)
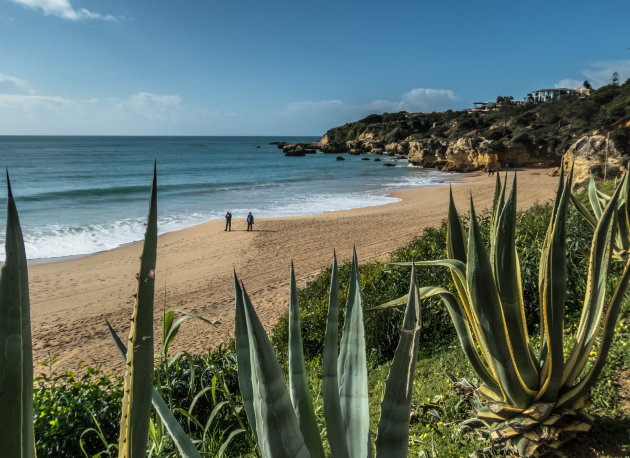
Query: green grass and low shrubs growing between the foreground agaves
point(82, 410)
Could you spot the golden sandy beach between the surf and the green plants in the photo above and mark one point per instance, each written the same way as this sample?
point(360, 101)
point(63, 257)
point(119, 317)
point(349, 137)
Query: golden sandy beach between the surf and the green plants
point(70, 300)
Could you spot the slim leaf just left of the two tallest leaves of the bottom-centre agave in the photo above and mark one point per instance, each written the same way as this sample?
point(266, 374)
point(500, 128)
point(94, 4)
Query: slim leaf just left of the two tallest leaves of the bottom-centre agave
point(300, 393)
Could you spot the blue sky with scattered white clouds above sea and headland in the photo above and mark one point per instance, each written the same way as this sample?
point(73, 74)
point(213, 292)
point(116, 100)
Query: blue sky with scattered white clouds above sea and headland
point(204, 67)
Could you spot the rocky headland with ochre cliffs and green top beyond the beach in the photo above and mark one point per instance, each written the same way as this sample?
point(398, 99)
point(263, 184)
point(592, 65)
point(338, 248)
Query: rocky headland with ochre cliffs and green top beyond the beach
point(586, 129)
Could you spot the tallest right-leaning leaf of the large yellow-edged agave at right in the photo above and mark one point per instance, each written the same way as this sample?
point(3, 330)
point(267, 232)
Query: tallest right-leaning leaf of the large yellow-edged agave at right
point(599, 261)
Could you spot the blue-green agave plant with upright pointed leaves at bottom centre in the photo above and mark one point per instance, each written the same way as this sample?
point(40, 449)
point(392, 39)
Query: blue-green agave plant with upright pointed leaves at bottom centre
point(285, 424)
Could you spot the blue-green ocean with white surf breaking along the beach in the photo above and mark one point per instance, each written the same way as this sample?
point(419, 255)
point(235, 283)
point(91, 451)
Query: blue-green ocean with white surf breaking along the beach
point(81, 195)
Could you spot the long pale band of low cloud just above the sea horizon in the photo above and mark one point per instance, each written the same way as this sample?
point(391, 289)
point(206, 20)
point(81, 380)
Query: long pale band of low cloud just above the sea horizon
point(25, 112)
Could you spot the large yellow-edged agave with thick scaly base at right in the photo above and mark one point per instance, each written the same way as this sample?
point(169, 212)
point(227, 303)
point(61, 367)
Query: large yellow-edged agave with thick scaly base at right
point(532, 398)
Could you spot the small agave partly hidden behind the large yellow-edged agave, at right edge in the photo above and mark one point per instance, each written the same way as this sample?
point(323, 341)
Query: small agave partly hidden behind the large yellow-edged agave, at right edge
point(598, 201)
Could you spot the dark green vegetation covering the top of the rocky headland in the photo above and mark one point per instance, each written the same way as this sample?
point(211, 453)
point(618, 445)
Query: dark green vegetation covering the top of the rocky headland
point(544, 129)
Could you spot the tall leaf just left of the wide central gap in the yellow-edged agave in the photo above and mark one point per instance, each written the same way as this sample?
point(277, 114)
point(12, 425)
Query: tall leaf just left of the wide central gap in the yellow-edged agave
point(507, 275)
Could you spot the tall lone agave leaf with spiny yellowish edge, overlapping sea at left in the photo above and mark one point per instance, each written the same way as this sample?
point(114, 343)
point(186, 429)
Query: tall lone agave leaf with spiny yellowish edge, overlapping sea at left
point(136, 407)
